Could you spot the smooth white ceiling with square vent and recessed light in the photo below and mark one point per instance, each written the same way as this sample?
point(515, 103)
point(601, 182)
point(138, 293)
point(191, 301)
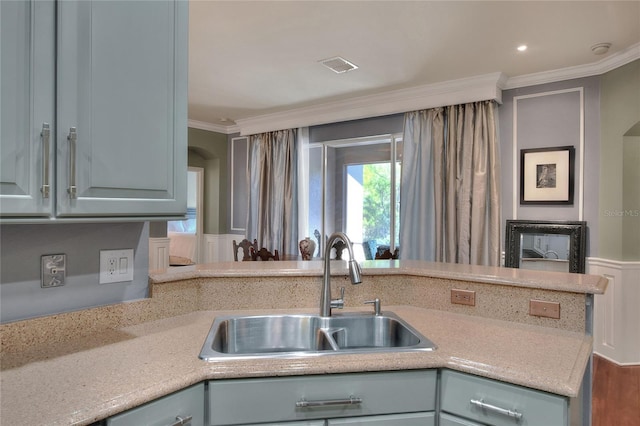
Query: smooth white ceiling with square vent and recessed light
point(258, 59)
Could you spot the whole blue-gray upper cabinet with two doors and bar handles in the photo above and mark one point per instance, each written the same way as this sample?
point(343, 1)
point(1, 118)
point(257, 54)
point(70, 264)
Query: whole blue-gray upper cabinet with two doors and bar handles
point(94, 109)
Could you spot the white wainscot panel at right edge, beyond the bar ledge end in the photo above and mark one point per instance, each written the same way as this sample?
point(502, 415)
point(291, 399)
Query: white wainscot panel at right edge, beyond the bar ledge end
point(616, 314)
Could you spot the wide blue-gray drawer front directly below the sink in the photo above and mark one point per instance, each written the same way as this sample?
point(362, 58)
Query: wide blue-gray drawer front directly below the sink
point(244, 401)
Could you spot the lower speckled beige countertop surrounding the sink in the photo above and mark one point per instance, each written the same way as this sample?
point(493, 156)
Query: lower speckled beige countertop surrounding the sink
point(84, 380)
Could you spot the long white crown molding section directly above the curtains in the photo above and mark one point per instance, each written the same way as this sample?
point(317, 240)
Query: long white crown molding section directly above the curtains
point(451, 92)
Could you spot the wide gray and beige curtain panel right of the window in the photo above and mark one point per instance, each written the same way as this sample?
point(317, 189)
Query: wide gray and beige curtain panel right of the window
point(450, 185)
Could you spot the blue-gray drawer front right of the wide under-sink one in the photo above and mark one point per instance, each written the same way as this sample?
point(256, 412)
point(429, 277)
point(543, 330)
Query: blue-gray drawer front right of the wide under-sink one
point(535, 407)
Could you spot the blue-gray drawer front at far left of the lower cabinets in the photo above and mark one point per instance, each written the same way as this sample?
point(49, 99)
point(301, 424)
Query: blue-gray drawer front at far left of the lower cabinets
point(164, 411)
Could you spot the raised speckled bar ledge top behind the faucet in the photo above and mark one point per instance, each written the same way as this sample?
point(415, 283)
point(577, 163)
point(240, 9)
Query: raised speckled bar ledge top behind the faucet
point(576, 283)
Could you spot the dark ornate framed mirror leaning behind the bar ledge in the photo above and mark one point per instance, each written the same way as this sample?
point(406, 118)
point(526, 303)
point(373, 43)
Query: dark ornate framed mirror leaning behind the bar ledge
point(546, 245)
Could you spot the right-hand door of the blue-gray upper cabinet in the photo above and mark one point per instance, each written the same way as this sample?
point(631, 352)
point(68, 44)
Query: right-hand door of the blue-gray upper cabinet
point(122, 87)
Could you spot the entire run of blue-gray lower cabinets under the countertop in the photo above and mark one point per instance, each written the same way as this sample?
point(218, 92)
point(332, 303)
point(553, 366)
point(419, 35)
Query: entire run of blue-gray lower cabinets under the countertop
point(398, 398)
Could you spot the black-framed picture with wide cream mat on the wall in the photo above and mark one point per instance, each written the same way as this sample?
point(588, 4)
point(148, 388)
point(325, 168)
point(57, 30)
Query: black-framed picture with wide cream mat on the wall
point(547, 175)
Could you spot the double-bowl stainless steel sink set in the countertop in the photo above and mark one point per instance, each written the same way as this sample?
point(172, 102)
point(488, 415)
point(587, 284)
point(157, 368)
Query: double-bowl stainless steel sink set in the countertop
point(310, 335)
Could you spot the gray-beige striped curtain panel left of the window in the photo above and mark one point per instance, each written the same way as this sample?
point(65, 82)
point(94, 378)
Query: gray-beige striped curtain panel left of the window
point(272, 218)
